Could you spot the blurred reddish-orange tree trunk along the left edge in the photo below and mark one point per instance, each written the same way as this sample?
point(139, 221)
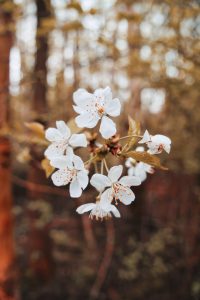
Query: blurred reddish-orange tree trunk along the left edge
point(7, 290)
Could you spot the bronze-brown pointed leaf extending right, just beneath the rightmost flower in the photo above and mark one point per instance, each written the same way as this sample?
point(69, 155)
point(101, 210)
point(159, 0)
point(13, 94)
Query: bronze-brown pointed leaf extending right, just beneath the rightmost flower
point(146, 158)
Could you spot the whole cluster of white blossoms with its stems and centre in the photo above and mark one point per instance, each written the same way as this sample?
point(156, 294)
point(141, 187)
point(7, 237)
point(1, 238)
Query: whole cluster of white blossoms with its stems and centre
point(95, 109)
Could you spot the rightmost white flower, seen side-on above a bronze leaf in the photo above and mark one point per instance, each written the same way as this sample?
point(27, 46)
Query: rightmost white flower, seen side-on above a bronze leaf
point(156, 143)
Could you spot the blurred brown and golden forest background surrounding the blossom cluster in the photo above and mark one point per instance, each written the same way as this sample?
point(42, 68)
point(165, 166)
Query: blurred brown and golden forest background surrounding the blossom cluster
point(148, 52)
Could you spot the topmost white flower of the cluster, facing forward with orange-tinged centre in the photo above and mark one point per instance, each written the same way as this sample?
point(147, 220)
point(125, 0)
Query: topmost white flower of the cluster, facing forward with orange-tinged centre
point(94, 107)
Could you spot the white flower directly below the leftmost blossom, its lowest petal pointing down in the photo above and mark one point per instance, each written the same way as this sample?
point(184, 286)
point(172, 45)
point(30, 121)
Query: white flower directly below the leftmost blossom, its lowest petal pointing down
point(72, 172)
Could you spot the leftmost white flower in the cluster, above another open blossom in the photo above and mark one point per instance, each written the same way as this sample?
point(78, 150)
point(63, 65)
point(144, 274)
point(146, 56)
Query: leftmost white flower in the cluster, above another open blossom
point(62, 141)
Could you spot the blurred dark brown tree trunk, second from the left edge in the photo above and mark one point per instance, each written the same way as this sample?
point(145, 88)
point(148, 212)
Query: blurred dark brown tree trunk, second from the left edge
point(41, 265)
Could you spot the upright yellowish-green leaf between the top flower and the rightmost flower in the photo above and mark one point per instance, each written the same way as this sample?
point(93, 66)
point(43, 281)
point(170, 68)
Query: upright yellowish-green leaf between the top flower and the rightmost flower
point(134, 129)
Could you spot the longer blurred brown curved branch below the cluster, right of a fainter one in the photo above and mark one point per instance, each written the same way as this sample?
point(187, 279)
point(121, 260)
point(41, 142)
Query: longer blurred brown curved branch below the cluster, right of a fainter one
point(104, 266)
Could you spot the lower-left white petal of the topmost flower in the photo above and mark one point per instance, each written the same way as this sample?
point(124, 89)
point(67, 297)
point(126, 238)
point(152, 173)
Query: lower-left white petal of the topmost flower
point(87, 120)
